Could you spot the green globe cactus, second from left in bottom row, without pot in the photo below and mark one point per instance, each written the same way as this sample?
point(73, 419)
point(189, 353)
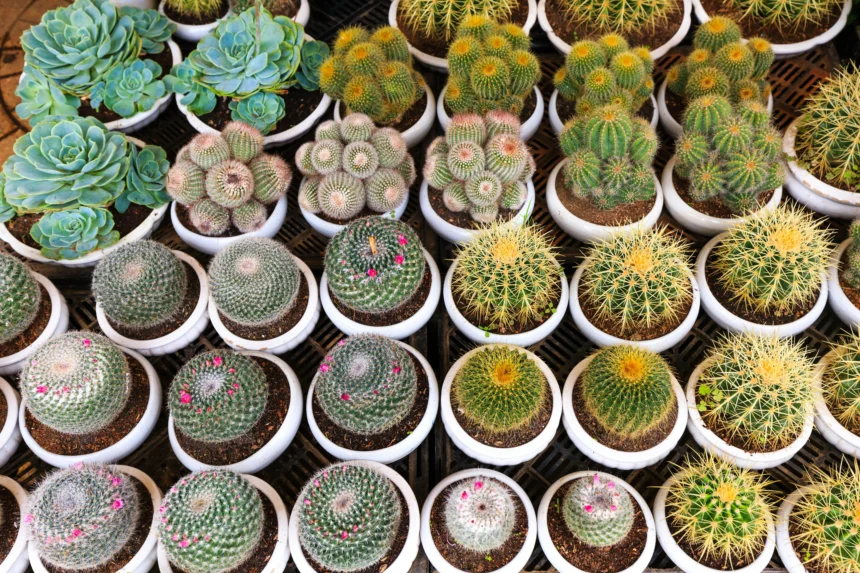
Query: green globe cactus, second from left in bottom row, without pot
point(211, 521)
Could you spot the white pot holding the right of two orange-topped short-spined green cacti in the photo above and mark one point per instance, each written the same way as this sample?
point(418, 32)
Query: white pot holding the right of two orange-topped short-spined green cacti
point(607, 456)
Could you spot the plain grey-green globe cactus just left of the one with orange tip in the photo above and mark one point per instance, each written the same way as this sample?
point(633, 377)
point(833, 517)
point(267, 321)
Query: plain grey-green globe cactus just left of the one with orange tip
point(254, 282)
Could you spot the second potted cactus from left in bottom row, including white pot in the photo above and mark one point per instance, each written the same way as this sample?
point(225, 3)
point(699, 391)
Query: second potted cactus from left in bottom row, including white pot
point(218, 520)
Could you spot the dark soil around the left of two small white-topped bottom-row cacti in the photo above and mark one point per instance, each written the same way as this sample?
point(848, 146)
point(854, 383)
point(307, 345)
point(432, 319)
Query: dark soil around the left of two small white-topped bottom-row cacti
point(476, 561)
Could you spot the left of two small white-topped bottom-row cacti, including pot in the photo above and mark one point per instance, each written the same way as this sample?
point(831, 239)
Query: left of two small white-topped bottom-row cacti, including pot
point(478, 520)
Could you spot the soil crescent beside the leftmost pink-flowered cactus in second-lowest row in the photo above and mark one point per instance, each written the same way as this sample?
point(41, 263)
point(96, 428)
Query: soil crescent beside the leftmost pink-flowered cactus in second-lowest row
point(81, 444)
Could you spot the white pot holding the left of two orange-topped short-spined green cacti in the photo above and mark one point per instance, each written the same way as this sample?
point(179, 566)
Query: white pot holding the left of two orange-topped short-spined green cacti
point(491, 454)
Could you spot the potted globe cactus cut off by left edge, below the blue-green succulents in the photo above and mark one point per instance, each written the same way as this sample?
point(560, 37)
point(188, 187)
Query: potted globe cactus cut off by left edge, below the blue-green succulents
point(33, 312)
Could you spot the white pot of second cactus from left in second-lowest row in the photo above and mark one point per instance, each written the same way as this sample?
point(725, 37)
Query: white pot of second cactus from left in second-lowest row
point(272, 449)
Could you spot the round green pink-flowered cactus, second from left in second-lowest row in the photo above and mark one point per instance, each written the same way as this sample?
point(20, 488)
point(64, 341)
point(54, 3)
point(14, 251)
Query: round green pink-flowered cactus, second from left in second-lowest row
point(218, 396)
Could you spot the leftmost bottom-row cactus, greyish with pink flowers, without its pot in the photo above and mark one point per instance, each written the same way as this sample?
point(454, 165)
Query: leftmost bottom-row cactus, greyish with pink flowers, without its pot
point(81, 517)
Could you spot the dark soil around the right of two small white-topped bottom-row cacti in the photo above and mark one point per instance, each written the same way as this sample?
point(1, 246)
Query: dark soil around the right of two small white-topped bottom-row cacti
point(609, 559)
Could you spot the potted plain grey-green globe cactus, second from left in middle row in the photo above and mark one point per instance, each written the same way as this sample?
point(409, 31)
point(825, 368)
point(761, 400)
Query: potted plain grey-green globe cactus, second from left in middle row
point(151, 299)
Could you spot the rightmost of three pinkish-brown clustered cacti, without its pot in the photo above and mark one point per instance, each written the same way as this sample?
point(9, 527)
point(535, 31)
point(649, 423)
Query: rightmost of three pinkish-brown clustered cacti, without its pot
point(480, 165)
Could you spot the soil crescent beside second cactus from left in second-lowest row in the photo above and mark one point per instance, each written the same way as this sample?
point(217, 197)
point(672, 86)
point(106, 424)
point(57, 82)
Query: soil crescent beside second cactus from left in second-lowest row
point(233, 451)
